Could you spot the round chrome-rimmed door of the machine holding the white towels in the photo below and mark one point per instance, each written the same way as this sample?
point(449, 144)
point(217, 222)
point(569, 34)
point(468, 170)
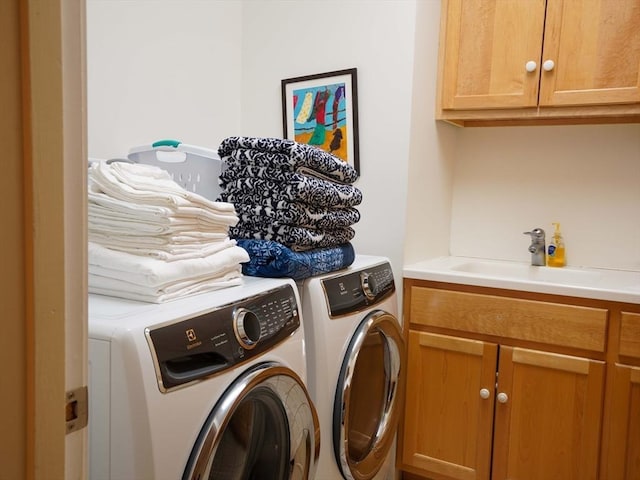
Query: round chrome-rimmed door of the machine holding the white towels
point(263, 426)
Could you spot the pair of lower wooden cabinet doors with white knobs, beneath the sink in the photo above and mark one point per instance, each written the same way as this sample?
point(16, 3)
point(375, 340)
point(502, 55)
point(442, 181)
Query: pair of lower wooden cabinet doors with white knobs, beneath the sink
point(478, 410)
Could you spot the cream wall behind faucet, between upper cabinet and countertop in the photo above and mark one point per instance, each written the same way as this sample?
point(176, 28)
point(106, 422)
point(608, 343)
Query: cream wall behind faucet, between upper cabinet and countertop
point(509, 180)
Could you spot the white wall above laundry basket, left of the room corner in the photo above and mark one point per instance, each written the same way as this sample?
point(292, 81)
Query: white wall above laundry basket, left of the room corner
point(160, 69)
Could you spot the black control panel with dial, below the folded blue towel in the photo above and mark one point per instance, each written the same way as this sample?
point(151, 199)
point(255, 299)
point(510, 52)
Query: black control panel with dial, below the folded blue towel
point(354, 291)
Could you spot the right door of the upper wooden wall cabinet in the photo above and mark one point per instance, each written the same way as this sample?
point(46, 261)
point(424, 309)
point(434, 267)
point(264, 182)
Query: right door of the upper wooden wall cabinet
point(595, 47)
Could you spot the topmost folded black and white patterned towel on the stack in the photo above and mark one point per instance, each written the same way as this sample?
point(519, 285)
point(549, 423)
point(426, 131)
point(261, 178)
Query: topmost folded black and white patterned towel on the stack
point(279, 152)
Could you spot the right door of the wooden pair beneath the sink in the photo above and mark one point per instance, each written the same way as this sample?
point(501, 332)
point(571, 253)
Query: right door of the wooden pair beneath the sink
point(548, 416)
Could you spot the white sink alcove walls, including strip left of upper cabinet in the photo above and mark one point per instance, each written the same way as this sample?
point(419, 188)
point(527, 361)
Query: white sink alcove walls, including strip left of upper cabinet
point(472, 192)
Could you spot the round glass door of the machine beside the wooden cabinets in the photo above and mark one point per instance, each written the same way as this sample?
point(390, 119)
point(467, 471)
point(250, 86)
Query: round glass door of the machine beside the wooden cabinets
point(366, 408)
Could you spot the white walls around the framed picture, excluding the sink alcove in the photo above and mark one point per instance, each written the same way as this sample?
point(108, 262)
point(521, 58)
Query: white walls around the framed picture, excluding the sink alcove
point(199, 71)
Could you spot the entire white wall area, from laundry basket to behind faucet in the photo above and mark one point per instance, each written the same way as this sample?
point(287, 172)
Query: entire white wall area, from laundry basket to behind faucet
point(200, 71)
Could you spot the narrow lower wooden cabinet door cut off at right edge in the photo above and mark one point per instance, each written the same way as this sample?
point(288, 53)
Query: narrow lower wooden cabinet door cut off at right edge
point(622, 432)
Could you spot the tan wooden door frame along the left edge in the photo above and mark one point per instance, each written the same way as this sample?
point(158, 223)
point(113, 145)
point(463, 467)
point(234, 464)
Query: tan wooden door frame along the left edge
point(45, 239)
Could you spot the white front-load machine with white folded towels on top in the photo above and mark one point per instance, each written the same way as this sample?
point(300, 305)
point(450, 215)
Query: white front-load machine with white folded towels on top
point(210, 386)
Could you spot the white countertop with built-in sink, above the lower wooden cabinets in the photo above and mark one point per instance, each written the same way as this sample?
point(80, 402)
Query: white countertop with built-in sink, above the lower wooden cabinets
point(596, 283)
